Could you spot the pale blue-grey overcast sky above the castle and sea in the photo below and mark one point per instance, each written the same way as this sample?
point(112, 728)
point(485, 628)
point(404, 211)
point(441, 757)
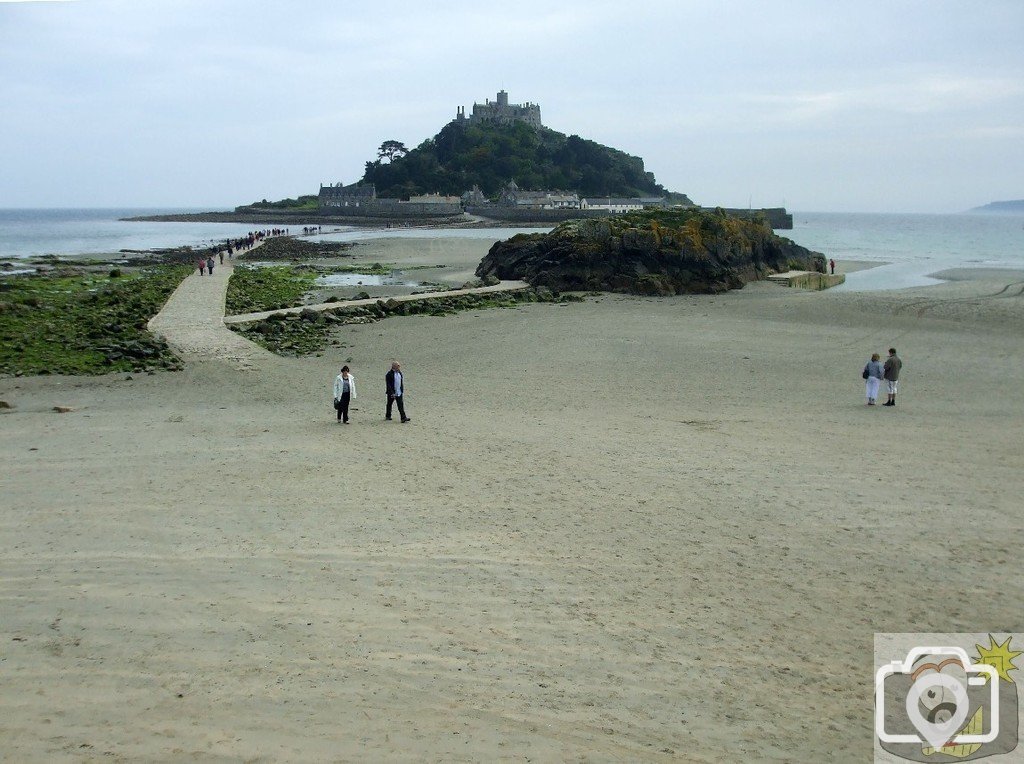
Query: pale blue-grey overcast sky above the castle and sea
point(868, 107)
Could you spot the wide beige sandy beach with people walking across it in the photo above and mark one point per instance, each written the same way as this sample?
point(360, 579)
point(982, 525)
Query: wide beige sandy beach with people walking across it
point(628, 529)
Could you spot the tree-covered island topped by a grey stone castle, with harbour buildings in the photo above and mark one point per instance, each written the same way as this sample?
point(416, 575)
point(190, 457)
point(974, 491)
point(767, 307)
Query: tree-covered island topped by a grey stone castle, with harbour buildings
point(496, 166)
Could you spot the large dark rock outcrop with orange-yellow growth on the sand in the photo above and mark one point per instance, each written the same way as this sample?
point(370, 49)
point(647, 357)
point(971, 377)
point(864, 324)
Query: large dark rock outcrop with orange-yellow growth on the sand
point(655, 252)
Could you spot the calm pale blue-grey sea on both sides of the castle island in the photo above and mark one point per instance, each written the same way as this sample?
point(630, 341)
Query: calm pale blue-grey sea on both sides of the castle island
point(914, 245)
